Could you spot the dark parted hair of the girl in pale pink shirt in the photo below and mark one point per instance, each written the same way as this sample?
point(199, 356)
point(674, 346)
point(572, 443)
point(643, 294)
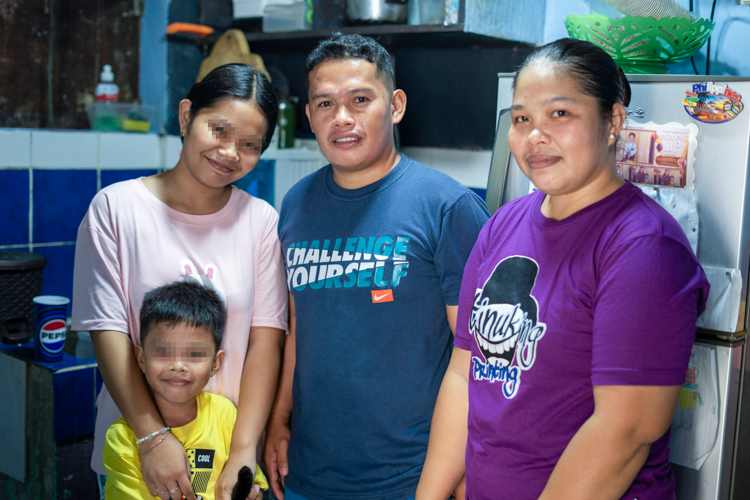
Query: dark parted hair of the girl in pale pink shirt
point(236, 81)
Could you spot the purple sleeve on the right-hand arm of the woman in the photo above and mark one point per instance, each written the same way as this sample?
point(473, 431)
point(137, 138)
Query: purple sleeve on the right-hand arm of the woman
point(651, 290)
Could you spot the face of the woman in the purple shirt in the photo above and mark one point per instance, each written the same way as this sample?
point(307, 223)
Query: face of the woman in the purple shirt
point(557, 136)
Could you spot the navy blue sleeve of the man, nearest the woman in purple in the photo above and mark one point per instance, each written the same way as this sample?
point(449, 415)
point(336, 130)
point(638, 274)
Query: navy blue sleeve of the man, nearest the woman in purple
point(458, 232)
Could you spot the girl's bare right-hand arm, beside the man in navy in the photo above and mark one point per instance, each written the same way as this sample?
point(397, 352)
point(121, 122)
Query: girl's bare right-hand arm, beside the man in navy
point(257, 388)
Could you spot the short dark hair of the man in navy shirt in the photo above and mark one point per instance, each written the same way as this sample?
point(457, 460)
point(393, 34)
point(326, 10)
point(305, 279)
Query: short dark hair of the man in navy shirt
point(341, 46)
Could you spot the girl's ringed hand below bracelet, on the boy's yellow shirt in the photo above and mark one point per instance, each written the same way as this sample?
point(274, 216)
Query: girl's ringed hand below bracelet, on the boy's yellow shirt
point(166, 467)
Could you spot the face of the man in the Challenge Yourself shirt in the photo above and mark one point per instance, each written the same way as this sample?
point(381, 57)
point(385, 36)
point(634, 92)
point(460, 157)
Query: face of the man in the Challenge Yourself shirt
point(352, 113)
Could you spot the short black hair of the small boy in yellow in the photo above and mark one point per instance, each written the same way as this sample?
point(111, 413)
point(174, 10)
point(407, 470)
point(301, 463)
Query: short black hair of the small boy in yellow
point(184, 303)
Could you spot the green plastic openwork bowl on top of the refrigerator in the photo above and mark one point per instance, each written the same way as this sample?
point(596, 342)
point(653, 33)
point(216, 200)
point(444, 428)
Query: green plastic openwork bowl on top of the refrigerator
point(642, 44)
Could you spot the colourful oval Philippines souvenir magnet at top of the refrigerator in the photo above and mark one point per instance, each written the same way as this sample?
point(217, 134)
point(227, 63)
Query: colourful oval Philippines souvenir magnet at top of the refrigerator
point(711, 102)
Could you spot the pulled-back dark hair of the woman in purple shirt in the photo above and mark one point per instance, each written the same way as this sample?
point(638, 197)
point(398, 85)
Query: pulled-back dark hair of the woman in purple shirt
point(594, 70)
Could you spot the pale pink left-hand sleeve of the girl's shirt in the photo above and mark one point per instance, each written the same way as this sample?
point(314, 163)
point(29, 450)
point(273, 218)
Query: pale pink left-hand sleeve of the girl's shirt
point(99, 300)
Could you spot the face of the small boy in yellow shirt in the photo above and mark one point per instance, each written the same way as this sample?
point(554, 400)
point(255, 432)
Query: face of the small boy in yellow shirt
point(178, 361)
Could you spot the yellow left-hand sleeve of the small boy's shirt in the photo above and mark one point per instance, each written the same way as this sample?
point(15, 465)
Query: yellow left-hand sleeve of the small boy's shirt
point(123, 466)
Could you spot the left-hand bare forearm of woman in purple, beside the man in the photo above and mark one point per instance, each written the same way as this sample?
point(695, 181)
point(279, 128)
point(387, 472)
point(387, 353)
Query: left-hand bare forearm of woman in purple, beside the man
point(444, 466)
